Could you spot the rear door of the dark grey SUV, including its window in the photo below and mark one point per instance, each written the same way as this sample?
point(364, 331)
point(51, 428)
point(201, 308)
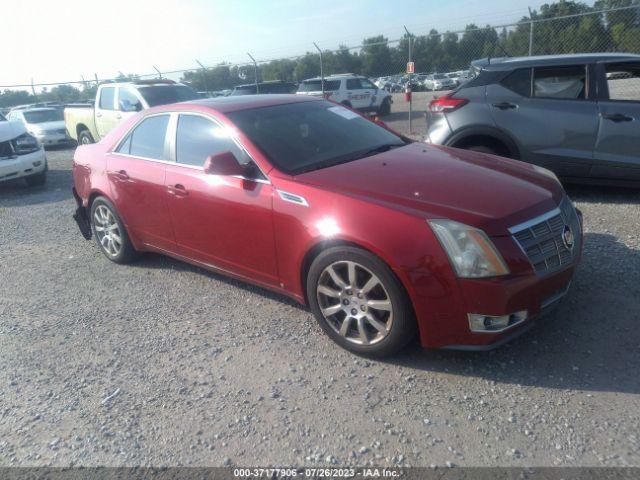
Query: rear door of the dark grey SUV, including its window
point(551, 113)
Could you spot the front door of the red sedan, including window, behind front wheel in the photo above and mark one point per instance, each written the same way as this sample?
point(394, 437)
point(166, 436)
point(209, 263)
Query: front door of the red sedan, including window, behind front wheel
point(222, 221)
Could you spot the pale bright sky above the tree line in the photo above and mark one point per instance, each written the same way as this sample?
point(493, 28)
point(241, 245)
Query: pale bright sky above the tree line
point(62, 40)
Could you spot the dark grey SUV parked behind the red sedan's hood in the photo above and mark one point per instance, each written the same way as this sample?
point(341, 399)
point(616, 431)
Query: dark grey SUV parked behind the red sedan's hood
point(563, 112)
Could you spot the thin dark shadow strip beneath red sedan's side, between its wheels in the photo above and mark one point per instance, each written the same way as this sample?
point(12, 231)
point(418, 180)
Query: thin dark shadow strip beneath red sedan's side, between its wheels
point(153, 260)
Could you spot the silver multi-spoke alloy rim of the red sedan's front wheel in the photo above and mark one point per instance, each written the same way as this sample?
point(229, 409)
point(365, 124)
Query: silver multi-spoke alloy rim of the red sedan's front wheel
point(355, 303)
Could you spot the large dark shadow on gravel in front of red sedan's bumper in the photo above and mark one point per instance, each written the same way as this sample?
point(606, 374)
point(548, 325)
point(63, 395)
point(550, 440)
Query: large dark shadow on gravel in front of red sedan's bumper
point(591, 342)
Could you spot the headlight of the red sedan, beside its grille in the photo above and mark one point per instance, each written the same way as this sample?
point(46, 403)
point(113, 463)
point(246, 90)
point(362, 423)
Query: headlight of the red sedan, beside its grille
point(471, 253)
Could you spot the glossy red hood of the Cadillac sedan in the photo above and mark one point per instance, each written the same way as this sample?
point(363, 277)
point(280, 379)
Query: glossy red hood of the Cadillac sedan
point(485, 191)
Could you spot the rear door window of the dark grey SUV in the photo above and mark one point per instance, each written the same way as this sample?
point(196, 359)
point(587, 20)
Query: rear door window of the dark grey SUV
point(568, 83)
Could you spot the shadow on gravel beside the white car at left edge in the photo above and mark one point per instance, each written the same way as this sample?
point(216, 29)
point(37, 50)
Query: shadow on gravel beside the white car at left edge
point(16, 193)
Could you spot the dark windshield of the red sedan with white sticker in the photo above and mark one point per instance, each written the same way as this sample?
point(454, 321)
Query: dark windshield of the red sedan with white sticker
point(305, 136)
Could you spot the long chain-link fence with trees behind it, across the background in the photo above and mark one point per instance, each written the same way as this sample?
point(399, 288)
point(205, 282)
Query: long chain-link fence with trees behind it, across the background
point(557, 28)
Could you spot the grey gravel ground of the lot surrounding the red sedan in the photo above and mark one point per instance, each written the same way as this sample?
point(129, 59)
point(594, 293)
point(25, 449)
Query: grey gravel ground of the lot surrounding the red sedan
point(162, 363)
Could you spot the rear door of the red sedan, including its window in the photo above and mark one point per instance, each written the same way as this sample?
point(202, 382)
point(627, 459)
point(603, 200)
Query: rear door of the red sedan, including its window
point(136, 172)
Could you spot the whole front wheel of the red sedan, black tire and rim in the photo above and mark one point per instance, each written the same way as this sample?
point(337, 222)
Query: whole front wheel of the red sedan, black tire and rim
point(359, 302)
